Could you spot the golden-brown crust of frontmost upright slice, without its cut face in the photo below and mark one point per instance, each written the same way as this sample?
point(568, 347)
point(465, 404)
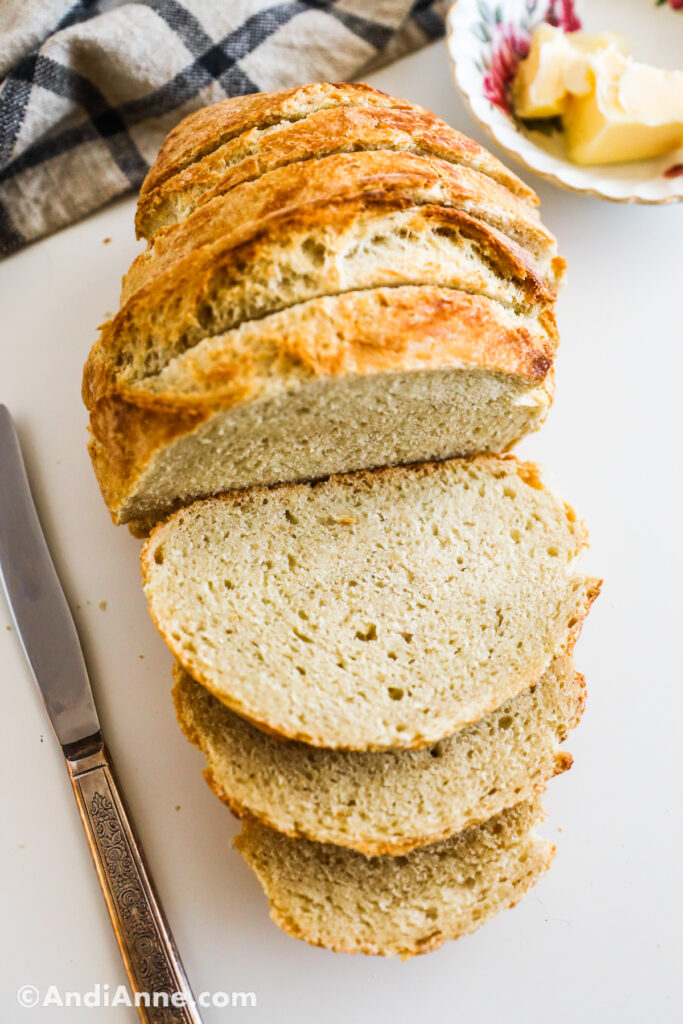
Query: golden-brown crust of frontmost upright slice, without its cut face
point(389, 331)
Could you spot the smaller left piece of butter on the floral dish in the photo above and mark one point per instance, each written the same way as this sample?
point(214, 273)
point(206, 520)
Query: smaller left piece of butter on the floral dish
point(556, 59)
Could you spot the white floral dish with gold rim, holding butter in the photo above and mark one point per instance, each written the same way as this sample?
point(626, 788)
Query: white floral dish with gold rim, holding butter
point(487, 40)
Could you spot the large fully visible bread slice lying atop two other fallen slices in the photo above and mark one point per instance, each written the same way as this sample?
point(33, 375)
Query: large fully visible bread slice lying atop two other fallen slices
point(376, 610)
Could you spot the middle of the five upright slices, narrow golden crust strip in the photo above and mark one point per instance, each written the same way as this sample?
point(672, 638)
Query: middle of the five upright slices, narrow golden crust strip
point(349, 176)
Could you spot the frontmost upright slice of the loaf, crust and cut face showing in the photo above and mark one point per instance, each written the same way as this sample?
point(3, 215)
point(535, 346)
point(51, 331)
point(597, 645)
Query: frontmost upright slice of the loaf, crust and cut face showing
point(369, 378)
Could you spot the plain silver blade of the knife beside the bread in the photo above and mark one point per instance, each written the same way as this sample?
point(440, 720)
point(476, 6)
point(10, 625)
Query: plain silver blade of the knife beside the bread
point(37, 603)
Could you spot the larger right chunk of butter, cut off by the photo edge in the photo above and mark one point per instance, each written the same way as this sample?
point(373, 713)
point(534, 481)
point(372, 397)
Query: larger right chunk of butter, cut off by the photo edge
point(633, 112)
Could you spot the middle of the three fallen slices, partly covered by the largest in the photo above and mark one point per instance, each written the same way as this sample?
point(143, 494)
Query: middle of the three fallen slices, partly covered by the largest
point(394, 801)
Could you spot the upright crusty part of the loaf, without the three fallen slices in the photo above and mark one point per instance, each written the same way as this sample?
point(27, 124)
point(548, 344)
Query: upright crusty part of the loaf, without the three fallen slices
point(335, 280)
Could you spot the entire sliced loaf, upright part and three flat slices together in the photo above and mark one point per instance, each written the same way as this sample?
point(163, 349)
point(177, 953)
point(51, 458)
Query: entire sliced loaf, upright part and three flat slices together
point(339, 296)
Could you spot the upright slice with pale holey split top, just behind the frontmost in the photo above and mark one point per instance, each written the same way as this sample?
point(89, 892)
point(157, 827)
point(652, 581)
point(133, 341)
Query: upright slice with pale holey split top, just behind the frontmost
point(297, 255)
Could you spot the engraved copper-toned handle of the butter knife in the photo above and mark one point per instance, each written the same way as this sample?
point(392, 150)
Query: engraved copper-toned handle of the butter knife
point(149, 952)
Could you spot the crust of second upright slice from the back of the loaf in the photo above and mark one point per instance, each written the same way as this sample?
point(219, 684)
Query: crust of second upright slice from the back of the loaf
point(341, 130)
